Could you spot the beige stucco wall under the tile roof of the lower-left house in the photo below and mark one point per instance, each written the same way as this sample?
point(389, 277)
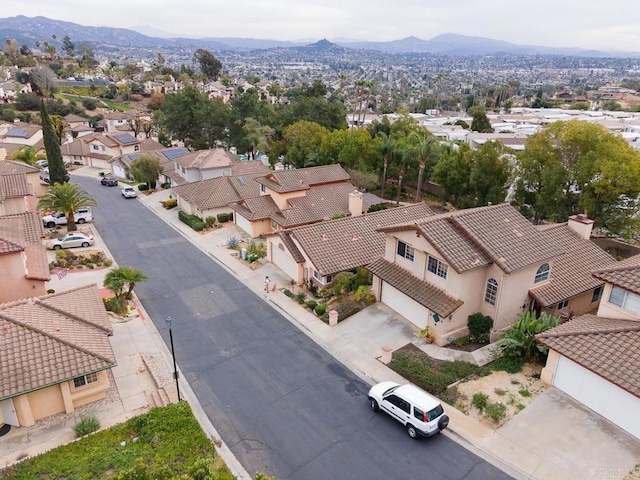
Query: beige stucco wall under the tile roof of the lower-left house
point(60, 398)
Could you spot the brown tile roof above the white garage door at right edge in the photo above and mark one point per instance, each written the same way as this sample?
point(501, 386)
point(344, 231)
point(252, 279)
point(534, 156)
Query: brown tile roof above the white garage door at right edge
point(608, 347)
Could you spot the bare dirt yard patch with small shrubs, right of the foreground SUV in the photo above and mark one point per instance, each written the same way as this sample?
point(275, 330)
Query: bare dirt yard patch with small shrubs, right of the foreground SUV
point(513, 390)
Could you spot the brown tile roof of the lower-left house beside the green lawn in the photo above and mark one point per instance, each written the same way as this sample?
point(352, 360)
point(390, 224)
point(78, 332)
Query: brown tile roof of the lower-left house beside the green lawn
point(51, 339)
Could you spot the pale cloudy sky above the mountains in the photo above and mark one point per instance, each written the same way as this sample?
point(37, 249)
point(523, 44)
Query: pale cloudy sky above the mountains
point(598, 24)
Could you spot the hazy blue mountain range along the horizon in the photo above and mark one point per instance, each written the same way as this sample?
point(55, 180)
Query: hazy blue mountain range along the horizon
point(28, 30)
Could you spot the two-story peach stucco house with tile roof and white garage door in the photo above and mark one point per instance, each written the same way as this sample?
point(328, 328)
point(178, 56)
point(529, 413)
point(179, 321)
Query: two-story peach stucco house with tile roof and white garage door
point(439, 270)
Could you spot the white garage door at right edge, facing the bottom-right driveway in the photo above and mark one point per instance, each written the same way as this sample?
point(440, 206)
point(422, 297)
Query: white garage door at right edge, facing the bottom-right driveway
point(601, 396)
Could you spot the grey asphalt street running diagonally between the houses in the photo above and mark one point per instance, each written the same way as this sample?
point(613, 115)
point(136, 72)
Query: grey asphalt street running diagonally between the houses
point(281, 403)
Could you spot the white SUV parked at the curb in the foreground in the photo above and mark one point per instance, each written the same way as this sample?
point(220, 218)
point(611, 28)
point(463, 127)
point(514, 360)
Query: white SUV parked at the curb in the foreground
point(418, 411)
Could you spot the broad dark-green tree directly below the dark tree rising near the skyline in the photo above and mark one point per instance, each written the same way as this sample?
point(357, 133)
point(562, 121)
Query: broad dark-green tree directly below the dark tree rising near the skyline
point(191, 117)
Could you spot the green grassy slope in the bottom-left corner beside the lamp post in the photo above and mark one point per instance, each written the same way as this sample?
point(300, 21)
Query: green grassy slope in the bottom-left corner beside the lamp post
point(164, 443)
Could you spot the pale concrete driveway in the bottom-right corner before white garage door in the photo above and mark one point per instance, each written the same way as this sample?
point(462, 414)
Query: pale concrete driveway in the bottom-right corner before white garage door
point(561, 439)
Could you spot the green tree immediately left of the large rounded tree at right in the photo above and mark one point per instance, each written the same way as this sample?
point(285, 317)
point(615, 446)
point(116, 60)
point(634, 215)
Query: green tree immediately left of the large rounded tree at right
point(490, 175)
